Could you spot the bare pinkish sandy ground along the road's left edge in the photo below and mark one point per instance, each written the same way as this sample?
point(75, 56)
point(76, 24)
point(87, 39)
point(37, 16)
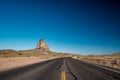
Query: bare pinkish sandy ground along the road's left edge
point(9, 63)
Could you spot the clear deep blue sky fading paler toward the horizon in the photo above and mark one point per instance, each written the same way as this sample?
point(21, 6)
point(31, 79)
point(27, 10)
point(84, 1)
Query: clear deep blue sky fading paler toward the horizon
point(73, 26)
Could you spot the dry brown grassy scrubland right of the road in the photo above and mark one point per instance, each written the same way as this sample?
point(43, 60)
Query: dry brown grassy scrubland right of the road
point(112, 61)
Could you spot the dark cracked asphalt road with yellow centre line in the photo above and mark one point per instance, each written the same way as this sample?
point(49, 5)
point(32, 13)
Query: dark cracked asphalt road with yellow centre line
point(61, 69)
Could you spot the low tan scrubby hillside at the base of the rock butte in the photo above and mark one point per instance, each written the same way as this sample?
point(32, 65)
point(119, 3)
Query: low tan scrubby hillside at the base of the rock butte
point(32, 53)
